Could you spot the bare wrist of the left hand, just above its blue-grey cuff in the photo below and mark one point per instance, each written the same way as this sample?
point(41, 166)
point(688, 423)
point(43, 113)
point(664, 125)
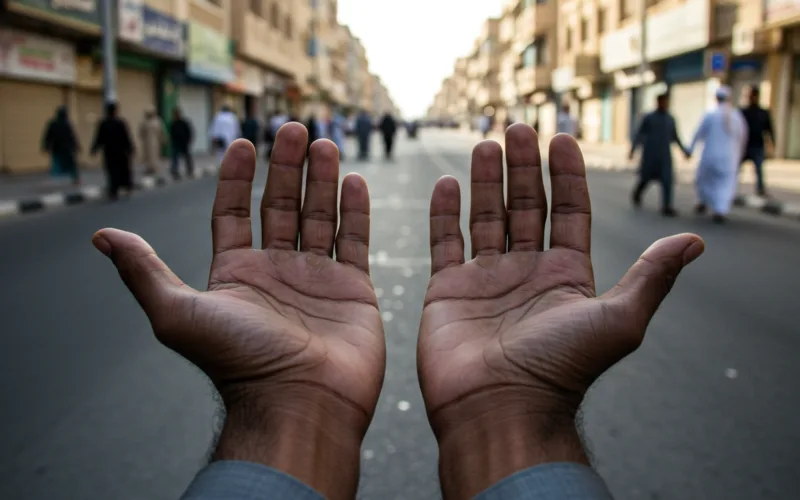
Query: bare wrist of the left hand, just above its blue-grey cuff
point(305, 432)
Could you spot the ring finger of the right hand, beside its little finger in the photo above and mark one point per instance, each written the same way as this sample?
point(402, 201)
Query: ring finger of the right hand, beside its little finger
point(487, 218)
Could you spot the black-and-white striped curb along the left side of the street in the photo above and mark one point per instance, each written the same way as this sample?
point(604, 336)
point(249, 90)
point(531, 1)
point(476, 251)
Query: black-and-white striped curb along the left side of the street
point(86, 194)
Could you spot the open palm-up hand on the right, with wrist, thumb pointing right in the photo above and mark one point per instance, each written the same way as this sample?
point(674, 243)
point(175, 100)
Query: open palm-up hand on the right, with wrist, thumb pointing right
point(510, 341)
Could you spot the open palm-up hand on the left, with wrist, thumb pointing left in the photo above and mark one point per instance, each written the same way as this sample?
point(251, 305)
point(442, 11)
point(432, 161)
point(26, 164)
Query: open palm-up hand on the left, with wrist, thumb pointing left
point(292, 340)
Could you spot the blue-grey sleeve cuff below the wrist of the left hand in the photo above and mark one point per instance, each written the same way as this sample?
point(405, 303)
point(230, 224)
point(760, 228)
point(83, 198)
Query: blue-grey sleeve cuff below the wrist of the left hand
point(233, 480)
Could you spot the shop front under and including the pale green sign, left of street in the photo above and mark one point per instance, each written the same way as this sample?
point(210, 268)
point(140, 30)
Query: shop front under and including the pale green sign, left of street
point(209, 65)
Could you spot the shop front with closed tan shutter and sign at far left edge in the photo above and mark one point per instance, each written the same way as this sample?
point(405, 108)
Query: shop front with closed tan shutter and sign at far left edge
point(35, 73)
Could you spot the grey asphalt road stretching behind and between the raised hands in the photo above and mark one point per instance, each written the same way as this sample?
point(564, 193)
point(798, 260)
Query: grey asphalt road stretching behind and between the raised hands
point(94, 408)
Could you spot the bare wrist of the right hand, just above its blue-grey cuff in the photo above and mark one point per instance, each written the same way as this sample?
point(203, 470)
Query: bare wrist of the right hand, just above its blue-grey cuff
point(488, 437)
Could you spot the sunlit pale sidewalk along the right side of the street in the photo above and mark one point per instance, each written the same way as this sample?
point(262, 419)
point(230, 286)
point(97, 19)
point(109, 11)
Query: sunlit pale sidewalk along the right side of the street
point(782, 176)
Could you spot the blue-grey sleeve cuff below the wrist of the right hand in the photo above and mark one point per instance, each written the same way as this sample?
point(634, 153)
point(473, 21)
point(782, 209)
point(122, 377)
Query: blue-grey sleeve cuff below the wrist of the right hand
point(556, 481)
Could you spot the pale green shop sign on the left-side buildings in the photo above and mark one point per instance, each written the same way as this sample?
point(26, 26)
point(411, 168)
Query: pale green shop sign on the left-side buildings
point(209, 54)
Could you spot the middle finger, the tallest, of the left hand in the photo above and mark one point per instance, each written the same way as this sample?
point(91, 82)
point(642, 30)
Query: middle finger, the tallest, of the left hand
point(280, 206)
